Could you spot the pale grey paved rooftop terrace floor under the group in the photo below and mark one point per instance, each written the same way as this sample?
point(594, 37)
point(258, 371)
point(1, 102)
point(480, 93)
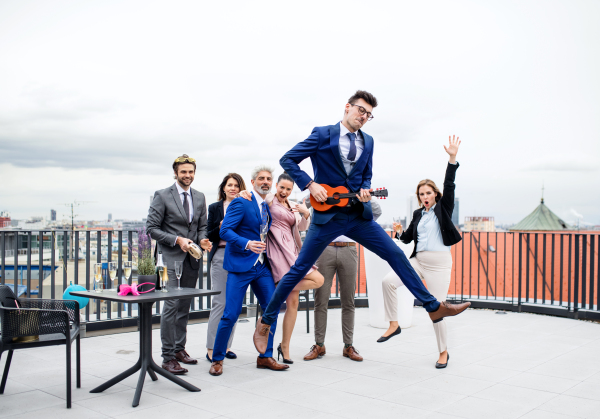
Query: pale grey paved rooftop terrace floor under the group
point(513, 365)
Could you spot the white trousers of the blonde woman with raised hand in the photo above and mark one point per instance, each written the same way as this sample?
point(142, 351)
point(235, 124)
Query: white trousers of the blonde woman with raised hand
point(435, 269)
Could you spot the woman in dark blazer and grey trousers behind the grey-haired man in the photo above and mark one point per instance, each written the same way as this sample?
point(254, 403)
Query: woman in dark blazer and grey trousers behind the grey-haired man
point(229, 188)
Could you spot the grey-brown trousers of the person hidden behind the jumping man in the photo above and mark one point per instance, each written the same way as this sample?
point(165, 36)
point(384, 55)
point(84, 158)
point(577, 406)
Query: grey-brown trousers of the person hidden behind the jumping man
point(341, 262)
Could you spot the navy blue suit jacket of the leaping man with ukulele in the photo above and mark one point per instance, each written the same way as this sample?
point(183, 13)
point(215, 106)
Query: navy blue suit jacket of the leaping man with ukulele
point(322, 146)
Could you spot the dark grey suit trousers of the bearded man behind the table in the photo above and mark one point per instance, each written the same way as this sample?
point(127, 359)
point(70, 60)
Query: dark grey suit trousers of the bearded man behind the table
point(176, 313)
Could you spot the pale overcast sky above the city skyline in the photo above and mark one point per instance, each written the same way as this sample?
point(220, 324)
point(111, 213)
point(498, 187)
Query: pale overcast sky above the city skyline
point(98, 97)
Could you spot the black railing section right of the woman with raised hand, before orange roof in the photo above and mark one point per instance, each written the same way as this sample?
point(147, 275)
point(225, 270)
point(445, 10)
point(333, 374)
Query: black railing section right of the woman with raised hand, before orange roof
point(550, 273)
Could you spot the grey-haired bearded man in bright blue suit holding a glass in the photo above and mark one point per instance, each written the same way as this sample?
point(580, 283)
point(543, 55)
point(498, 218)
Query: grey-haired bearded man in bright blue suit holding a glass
point(247, 264)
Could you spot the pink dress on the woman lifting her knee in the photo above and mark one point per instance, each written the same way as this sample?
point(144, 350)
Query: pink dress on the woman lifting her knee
point(283, 241)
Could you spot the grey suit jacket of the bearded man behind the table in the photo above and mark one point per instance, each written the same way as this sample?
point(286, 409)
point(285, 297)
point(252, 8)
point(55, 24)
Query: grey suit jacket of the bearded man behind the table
point(167, 220)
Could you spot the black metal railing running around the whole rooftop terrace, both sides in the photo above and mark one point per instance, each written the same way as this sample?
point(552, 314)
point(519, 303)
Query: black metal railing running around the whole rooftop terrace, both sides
point(549, 273)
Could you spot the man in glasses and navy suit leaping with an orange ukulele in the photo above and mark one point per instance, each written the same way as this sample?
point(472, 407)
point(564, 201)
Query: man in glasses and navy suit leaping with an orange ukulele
point(342, 155)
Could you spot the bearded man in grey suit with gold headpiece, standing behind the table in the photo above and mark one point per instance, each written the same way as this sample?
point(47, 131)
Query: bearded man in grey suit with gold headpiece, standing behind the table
point(177, 219)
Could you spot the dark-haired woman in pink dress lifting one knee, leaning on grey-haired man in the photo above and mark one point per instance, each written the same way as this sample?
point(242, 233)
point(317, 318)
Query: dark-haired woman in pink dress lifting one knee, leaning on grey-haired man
point(283, 246)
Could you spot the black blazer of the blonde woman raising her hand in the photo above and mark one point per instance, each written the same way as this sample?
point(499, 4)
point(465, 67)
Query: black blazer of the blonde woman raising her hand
point(443, 210)
